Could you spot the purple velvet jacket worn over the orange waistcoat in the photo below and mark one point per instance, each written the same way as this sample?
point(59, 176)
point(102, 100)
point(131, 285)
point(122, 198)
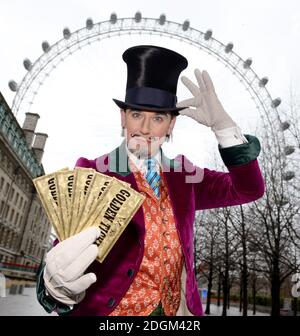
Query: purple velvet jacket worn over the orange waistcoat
point(190, 188)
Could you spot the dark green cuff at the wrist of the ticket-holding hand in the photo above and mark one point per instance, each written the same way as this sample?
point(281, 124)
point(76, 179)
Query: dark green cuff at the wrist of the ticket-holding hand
point(47, 301)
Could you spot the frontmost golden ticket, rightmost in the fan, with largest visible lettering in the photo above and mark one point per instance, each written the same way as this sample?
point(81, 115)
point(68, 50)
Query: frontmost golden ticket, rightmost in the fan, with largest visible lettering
point(122, 203)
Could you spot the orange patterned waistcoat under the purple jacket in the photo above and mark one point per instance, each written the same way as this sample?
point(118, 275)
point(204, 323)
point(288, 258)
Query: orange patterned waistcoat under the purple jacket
point(158, 279)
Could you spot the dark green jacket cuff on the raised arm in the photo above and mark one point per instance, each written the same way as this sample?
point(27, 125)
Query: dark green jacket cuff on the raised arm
point(241, 154)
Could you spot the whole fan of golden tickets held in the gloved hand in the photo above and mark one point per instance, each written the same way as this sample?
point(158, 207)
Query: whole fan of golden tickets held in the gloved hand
point(77, 199)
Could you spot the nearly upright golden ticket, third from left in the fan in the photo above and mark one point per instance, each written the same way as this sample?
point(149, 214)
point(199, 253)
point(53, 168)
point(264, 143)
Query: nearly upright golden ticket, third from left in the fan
point(82, 187)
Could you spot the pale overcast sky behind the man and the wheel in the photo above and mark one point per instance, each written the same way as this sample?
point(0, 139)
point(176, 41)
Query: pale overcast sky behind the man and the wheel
point(75, 103)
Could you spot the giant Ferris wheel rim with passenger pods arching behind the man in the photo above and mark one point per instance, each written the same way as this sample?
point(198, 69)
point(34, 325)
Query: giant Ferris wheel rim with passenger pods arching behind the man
point(160, 29)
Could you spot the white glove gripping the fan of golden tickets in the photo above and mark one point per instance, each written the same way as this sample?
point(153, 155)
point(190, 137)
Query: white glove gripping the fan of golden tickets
point(66, 263)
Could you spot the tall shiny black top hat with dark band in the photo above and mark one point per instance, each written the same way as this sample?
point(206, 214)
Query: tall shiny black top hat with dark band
point(152, 76)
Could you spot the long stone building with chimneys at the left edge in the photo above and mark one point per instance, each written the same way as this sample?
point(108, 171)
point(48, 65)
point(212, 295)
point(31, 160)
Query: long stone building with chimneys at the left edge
point(24, 227)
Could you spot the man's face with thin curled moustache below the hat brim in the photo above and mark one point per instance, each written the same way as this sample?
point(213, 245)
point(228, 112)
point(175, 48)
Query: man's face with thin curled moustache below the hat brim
point(146, 131)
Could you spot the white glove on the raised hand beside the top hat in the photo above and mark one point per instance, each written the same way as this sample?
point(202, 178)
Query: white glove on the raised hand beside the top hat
point(206, 107)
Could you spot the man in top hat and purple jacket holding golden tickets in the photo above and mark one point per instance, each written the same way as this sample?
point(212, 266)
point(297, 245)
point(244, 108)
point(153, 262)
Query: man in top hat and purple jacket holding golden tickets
point(150, 270)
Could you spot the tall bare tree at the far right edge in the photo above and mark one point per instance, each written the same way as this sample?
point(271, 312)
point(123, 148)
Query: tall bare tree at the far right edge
point(274, 216)
